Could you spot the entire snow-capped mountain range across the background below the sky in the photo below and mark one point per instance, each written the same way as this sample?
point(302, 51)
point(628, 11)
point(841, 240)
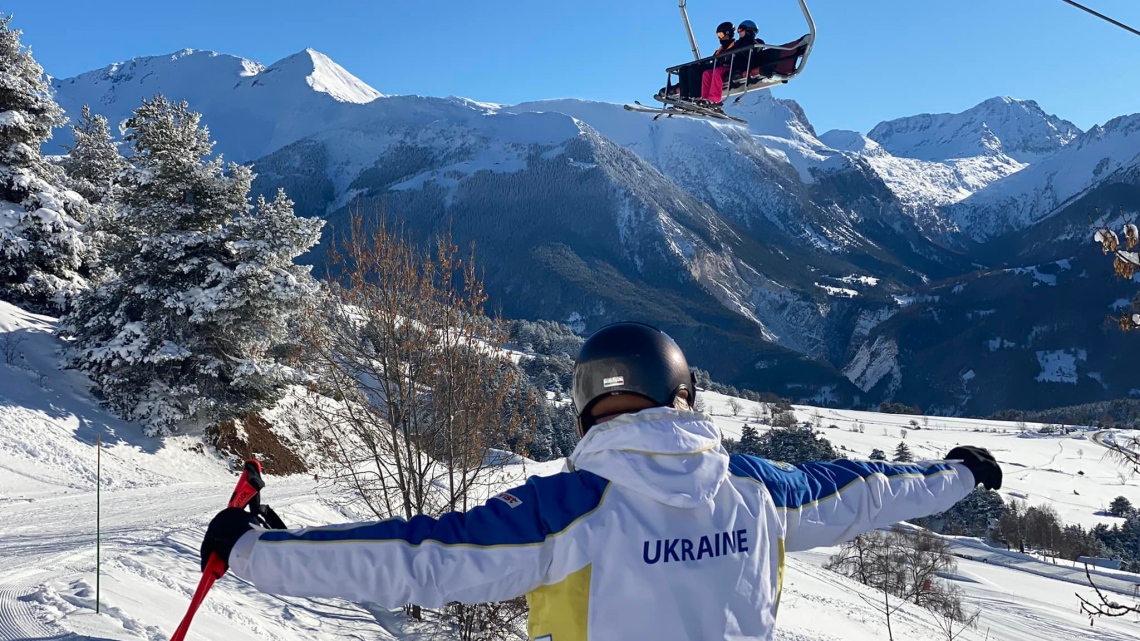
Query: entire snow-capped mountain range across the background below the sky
point(779, 253)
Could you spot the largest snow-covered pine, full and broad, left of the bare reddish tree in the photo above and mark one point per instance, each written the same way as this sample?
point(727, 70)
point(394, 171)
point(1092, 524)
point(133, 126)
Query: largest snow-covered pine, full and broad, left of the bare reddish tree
point(206, 288)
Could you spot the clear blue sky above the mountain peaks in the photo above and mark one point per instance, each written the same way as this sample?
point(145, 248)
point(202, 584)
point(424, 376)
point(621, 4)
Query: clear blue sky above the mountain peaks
point(876, 60)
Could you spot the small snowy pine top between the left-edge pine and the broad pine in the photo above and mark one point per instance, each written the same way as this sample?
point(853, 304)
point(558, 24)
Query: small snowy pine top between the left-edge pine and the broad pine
point(94, 164)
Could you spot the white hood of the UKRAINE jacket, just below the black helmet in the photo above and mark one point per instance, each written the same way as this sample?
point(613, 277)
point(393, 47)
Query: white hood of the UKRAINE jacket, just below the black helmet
point(672, 457)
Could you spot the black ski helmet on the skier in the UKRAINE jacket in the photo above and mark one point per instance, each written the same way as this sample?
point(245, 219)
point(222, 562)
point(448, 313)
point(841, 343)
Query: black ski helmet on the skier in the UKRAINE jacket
point(630, 359)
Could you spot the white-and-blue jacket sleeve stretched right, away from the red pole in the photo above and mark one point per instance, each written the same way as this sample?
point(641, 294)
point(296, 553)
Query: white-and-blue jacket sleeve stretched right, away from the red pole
point(829, 504)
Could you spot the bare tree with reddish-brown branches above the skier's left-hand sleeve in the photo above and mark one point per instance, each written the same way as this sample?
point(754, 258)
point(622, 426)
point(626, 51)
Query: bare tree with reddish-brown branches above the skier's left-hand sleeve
point(414, 401)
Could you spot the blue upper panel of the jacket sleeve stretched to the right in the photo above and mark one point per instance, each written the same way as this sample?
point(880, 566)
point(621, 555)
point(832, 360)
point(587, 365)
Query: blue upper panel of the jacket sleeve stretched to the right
point(795, 486)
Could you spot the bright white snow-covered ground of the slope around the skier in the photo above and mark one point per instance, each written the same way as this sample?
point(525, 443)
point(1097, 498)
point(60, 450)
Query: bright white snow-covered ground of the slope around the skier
point(158, 498)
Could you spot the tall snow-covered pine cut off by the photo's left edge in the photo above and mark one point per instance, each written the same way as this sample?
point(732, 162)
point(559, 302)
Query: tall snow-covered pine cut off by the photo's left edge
point(42, 244)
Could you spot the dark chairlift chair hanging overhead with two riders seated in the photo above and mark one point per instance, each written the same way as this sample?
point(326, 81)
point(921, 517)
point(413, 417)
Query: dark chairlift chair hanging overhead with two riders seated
point(756, 68)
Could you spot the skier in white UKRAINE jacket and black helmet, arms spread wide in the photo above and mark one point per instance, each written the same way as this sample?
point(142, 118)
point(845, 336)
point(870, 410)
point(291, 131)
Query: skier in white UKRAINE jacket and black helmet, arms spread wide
point(654, 532)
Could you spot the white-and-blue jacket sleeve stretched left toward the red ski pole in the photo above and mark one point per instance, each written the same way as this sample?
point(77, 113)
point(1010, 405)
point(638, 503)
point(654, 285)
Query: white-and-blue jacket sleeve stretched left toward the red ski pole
point(493, 553)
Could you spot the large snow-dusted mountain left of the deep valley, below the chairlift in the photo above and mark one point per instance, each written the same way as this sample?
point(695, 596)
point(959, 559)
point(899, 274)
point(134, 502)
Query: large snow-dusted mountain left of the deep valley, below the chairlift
point(450, 158)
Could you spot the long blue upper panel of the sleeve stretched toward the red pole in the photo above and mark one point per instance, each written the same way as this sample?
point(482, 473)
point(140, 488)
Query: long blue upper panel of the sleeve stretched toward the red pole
point(543, 507)
